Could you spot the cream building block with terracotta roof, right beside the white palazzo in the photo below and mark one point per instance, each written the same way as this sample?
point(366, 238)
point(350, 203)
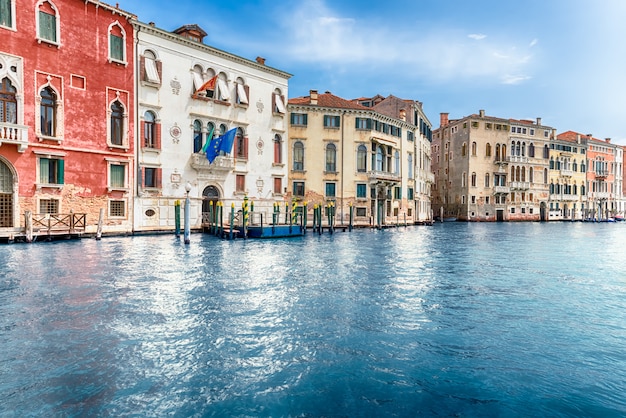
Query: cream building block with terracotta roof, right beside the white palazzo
point(349, 154)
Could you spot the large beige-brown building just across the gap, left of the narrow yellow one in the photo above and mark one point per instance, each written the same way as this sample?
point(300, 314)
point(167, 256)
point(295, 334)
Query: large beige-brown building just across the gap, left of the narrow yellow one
point(491, 169)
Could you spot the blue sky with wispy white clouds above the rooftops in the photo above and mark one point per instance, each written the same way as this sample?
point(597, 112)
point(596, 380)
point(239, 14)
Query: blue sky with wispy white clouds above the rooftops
point(561, 60)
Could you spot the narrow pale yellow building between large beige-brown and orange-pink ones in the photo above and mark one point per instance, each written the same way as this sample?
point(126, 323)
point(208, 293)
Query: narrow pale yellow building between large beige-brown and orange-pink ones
point(568, 175)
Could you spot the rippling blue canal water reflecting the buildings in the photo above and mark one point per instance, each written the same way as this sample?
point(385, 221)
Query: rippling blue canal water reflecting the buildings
point(457, 319)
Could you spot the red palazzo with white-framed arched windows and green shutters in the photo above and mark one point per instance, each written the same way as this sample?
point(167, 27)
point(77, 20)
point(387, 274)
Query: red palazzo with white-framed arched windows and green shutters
point(66, 112)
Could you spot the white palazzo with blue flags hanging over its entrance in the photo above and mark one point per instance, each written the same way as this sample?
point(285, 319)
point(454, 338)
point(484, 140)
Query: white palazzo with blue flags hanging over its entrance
point(174, 120)
